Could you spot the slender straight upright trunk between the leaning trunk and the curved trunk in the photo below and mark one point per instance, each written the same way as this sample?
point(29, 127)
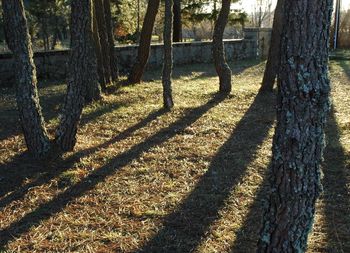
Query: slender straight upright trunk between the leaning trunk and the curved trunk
point(168, 55)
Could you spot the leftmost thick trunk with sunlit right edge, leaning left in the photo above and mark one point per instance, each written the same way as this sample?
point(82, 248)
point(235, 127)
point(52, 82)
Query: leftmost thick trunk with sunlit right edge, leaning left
point(18, 41)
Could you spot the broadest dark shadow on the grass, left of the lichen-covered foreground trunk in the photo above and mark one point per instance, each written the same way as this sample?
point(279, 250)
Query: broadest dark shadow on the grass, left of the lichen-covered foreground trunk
point(185, 228)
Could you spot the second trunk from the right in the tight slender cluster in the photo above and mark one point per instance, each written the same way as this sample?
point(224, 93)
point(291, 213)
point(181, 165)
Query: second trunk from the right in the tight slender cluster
point(103, 36)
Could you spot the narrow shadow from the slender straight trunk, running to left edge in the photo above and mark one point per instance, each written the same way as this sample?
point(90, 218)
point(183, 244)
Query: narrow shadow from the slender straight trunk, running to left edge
point(46, 173)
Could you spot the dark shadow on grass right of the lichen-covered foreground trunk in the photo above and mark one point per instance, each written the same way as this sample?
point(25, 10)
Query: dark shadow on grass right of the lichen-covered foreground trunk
point(336, 195)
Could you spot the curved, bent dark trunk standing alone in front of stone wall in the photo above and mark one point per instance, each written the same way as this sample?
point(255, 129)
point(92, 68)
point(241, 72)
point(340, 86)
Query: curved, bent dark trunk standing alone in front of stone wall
point(221, 66)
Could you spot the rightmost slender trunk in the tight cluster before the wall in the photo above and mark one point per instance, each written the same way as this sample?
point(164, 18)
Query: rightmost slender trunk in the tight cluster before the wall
point(113, 59)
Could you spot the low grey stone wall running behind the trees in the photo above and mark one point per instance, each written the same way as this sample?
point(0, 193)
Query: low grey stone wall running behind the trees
point(53, 64)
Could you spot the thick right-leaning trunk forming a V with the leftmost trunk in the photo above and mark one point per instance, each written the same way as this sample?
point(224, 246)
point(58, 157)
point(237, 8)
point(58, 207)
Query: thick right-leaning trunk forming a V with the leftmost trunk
point(82, 72)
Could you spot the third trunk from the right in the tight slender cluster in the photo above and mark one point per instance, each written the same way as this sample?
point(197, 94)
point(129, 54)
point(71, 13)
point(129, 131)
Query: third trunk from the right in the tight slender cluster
point(98, 50)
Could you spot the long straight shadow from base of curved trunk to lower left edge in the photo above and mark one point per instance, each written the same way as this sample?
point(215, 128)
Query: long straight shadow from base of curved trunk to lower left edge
point(46, 210)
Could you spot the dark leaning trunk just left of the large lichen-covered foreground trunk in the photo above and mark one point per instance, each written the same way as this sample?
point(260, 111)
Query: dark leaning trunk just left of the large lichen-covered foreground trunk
point(272, 63)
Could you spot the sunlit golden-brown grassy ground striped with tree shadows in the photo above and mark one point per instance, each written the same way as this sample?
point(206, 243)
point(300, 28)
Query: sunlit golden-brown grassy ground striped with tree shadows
point(145, 180)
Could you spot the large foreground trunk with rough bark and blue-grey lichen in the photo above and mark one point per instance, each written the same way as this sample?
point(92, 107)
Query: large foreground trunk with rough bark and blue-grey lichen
point(303, 103)
